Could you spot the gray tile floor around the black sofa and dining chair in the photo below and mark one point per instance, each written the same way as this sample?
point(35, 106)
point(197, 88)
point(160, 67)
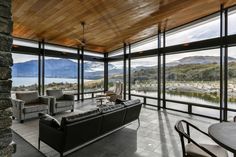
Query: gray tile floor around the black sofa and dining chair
point(156, 136)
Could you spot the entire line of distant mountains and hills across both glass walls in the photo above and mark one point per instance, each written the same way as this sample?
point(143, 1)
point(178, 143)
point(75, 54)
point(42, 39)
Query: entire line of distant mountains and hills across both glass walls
point(196, 66)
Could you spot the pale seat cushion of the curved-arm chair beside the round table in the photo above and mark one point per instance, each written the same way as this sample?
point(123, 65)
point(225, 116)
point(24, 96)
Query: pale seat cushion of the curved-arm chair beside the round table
point(193, 151)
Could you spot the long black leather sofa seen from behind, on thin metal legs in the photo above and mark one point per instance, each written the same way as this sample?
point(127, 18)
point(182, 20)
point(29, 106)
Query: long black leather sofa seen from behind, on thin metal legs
point(79, 130)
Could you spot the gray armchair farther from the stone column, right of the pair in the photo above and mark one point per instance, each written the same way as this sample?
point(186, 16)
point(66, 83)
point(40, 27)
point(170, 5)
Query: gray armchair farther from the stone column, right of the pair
point(60, 102)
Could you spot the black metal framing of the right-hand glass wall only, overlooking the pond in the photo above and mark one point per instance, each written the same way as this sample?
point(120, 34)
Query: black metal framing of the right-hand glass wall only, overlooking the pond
point(221, 42)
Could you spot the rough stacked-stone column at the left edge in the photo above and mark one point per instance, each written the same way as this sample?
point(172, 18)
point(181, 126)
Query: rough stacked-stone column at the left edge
point(6, 144)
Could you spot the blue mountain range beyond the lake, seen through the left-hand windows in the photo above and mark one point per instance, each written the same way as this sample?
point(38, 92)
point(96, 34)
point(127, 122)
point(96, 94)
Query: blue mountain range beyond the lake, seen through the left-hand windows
point(59, 68)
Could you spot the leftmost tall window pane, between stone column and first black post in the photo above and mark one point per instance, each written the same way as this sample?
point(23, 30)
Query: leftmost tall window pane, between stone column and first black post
point(24, 73)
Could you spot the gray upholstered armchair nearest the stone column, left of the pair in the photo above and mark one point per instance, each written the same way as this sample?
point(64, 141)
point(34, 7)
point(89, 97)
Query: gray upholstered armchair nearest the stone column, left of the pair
point(28, 104)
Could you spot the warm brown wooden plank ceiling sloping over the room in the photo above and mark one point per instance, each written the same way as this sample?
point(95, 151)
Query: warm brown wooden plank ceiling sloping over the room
point(109, 23)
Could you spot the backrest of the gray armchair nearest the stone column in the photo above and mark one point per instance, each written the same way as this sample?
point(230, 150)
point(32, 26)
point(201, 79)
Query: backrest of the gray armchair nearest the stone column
point(28, 97)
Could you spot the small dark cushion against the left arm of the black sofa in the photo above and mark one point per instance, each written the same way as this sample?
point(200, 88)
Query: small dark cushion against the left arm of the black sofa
point(49, 120)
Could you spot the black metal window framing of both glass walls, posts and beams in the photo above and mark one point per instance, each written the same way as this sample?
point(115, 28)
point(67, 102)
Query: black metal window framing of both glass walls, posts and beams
point(221, 42)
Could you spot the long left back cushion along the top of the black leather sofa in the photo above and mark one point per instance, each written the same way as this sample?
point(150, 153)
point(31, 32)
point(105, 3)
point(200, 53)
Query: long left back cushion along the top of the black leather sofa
point(78, 117)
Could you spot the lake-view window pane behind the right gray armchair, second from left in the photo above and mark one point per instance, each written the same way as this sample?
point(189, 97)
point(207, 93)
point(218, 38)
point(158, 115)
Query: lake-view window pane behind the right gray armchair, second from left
point(61, 74)
